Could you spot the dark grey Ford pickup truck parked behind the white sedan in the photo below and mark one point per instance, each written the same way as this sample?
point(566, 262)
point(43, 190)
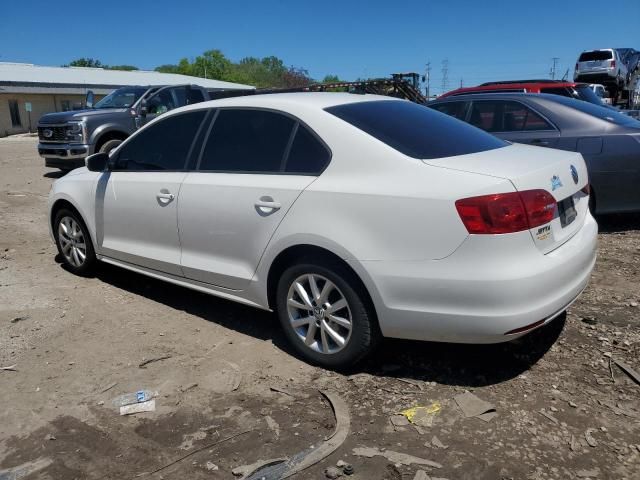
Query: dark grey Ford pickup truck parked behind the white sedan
point(66, 138)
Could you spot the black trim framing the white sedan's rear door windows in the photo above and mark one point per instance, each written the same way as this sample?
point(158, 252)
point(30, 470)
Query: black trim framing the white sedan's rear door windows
point(285, 157)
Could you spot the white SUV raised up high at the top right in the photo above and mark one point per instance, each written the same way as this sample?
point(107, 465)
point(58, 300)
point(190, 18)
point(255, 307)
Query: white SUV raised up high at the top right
point(601, 66)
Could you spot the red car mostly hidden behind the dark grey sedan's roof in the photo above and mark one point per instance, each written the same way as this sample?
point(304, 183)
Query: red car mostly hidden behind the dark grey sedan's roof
point(581, 91)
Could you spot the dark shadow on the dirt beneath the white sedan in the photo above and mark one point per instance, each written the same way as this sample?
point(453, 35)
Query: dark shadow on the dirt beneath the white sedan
point(450, 364)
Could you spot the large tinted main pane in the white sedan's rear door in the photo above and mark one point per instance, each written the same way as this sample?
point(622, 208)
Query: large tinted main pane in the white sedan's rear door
point(247, 141)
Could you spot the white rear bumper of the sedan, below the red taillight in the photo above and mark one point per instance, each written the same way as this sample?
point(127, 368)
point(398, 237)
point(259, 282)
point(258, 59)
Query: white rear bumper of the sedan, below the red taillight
point(484, 290)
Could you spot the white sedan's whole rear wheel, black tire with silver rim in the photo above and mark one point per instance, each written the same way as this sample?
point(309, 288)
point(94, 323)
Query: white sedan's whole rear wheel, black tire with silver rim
point(342, 311)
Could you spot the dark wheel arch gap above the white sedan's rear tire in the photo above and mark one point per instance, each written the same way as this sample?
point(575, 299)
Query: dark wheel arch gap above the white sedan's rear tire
point(314, 253)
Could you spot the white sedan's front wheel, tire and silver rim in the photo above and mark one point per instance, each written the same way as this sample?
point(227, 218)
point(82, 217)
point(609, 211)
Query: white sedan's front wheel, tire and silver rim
point(73, 242)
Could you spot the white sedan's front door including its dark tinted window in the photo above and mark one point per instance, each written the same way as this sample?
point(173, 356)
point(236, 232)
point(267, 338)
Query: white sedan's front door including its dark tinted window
point(136, 204)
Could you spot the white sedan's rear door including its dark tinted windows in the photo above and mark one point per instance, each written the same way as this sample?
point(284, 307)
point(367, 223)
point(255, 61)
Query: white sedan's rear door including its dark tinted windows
point(254, 165)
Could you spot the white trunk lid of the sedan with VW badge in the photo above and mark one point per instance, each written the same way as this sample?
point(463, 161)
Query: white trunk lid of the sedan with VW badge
point(562, 174)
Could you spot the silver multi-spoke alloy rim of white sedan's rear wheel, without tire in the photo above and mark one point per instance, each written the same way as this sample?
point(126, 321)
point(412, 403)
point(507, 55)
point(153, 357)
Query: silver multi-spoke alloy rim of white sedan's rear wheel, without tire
point(319, 313)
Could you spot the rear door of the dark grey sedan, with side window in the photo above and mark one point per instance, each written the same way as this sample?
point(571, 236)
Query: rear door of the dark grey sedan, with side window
point(513, 121)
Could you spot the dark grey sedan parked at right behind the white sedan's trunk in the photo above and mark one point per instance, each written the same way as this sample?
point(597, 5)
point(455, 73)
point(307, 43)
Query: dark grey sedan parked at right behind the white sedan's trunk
point(608, 140)
